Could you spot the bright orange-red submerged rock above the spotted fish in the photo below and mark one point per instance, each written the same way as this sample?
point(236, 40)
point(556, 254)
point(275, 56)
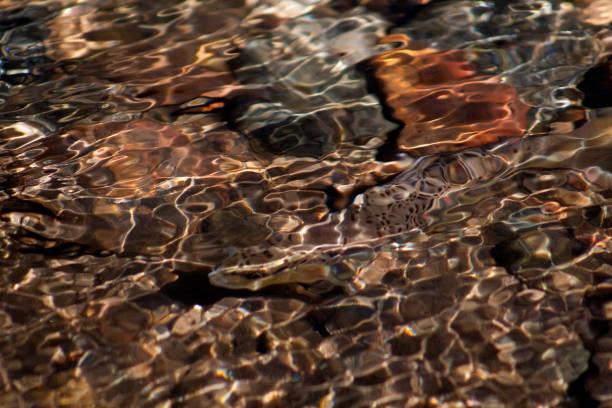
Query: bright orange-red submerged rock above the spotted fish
point(444, 103)
